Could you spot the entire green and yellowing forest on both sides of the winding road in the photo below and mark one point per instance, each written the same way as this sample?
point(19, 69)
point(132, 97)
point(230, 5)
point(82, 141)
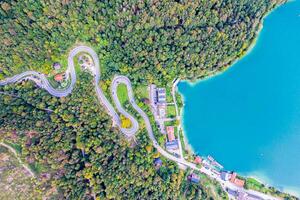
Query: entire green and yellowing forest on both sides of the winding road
point(70, 141)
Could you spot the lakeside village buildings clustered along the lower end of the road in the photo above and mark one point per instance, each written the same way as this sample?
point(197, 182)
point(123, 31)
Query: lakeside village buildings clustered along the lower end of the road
point(159, 103)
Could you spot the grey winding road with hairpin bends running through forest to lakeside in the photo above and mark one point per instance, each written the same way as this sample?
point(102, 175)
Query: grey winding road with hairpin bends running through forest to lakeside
point(42, 81)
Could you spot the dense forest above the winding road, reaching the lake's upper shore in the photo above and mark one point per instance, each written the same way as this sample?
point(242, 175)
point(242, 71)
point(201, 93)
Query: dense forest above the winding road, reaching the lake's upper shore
point(159, 38)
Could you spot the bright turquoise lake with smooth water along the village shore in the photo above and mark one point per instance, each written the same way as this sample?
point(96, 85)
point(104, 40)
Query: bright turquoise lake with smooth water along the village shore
point(248, 118)
